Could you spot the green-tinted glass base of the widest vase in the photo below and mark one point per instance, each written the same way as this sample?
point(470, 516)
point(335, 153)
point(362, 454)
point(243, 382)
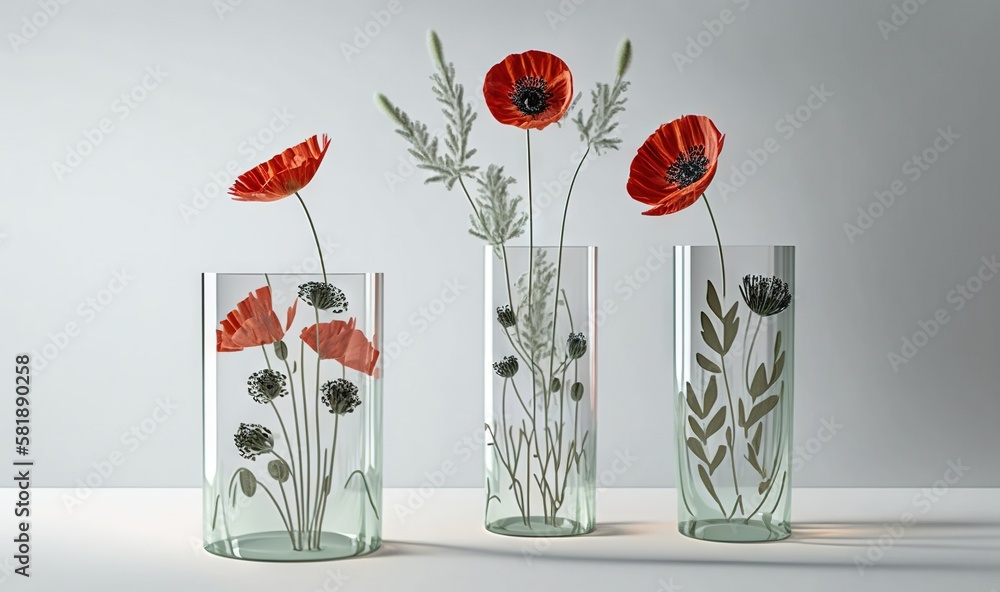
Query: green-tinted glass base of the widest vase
point(276, 546)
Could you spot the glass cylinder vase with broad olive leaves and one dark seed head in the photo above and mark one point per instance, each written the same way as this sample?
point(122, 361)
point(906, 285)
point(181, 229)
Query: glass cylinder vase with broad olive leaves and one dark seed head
point(734, 365)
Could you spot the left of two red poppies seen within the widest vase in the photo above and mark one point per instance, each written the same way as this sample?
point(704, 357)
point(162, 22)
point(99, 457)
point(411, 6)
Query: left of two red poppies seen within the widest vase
point(252, 324)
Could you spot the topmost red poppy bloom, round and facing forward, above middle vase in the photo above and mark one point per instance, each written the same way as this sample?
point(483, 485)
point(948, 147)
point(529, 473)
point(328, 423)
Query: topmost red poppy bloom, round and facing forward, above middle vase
point(529, 90)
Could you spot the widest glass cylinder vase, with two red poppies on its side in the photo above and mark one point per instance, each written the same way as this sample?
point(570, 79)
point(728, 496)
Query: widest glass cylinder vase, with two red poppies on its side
point(292, 415)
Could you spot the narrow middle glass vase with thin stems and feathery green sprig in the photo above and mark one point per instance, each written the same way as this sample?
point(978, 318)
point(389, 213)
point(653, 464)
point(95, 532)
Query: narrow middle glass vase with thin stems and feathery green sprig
point(541, 395)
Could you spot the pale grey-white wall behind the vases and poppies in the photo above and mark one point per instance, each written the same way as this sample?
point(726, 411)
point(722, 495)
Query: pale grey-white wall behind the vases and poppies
point(65, 238)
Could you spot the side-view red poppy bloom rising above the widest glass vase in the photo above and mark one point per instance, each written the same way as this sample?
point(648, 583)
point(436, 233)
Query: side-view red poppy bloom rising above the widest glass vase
point(284, 174)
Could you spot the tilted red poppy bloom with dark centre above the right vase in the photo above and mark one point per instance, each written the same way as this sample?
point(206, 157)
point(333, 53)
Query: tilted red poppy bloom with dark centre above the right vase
point(675, 165)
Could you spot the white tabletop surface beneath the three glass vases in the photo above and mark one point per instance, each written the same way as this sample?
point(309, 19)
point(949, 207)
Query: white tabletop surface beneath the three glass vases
point(149, 540)
